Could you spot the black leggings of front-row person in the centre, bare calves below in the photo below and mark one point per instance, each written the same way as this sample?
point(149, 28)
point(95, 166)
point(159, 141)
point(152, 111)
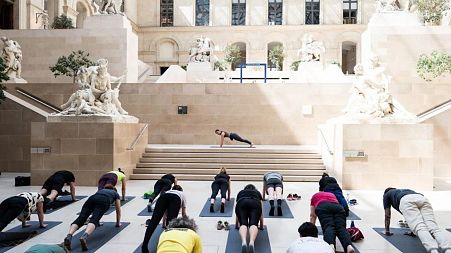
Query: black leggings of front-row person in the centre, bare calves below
point(248, 211)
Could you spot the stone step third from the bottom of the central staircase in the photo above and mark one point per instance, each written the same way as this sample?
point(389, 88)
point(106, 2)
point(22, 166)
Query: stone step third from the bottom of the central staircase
point(231, 165)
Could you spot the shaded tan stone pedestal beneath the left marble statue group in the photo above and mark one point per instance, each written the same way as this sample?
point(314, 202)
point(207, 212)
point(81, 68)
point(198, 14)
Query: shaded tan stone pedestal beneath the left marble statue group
point(87, 148)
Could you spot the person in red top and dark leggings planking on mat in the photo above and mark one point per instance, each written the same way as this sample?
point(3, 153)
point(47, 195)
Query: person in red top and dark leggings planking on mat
point(332, 218)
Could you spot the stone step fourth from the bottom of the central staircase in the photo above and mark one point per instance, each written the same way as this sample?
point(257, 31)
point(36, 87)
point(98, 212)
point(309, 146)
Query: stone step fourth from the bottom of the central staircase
point(231, 160)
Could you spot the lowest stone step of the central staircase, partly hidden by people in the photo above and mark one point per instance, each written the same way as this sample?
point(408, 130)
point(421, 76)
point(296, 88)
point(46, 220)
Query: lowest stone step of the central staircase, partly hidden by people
point(240, 177)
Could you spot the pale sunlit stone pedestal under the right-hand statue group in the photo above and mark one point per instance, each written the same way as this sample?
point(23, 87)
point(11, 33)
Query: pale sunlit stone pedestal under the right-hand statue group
point(377, 156)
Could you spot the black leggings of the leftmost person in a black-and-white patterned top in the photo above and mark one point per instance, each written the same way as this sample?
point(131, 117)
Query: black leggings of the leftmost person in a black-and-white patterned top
point(10, 208)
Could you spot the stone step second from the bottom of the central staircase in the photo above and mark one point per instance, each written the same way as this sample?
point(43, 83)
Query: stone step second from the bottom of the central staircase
point(213, 172)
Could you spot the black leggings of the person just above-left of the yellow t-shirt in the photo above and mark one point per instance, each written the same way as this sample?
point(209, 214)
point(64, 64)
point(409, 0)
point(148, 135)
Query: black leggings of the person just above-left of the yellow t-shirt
point(168, 203)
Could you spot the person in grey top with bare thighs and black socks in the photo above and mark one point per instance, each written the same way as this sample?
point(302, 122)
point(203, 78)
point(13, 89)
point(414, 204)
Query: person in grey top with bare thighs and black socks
point(273, 186)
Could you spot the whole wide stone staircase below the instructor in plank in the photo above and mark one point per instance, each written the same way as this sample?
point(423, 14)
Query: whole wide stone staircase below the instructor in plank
point(194, 163)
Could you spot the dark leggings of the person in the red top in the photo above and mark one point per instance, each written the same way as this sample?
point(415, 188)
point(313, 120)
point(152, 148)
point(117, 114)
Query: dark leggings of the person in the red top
point(333, 223)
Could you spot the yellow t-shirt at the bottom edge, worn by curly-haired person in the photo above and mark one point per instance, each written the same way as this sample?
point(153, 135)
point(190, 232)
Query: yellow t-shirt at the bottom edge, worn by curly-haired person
point(179, 240)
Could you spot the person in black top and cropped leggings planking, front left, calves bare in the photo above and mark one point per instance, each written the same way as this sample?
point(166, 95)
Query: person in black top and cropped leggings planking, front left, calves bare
point(97, 205)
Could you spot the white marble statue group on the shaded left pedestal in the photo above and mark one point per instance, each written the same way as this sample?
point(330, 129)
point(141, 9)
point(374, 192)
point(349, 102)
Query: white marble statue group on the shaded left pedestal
point(95, 94)
